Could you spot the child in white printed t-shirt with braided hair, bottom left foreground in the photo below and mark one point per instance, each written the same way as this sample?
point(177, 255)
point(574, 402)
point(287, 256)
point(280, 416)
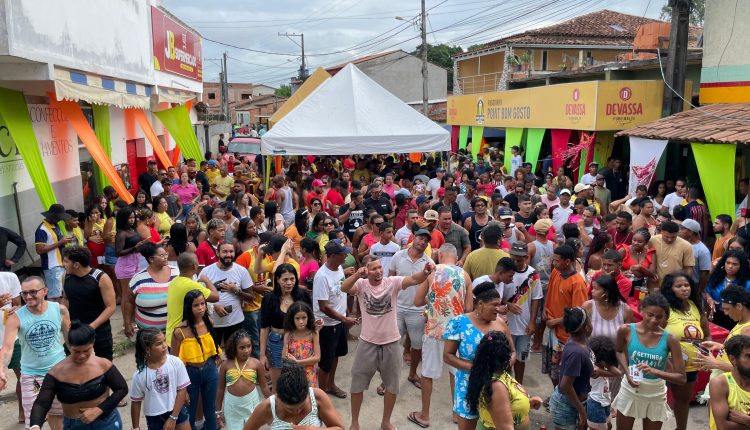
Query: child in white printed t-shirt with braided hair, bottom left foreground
point(159, 384)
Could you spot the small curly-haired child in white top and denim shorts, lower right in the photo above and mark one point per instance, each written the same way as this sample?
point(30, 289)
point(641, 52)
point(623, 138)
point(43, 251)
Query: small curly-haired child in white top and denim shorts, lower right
point(605, 367)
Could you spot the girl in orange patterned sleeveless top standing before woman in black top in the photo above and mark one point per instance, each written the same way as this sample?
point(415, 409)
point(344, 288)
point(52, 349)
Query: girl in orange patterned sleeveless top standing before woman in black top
point(301, 344)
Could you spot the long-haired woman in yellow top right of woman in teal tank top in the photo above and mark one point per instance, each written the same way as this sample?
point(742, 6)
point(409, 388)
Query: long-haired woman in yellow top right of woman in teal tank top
point(688, 323)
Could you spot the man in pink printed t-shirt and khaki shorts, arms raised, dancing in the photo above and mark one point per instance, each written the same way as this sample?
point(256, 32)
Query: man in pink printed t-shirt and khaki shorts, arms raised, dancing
point(378, 349)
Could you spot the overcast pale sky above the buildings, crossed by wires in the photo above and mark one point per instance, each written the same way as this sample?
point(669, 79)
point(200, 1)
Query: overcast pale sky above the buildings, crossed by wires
point(337, 31)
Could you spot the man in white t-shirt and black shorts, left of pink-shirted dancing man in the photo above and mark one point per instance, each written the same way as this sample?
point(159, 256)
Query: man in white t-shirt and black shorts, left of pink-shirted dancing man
point(329, 305)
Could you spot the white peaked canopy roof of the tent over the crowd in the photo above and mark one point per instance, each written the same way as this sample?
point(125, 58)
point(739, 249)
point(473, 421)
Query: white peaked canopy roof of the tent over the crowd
point(351, 114)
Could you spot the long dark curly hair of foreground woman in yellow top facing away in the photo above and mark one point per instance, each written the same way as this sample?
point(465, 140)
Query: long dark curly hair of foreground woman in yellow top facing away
point(492, 356)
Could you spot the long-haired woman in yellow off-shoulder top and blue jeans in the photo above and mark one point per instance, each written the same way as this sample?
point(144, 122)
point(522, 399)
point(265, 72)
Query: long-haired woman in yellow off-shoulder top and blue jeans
point(193, 342)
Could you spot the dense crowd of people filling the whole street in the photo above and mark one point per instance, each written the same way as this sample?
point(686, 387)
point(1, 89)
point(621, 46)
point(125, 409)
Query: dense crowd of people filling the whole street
point(241, 299)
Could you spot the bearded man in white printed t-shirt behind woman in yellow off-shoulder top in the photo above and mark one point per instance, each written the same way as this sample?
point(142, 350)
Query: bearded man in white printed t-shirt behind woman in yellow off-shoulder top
point(235, 286)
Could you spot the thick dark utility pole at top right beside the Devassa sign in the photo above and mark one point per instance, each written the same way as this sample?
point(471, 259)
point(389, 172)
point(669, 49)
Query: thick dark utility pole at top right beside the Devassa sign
point(677, 57)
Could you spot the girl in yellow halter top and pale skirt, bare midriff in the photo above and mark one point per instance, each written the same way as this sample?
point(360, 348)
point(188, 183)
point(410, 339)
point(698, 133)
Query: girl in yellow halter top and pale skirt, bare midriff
point(237, 395)
